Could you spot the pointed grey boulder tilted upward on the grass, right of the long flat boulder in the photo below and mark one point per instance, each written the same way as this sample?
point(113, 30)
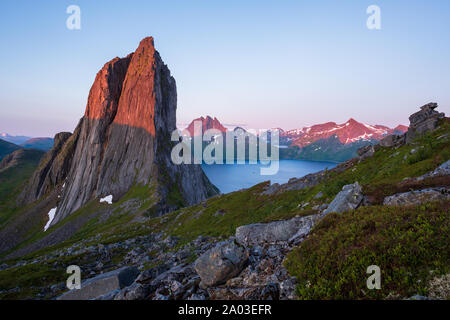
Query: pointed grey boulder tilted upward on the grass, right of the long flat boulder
point(349, 198)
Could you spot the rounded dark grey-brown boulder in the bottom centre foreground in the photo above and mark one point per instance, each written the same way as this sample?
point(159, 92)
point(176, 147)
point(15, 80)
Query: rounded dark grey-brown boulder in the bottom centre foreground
point(223, 262)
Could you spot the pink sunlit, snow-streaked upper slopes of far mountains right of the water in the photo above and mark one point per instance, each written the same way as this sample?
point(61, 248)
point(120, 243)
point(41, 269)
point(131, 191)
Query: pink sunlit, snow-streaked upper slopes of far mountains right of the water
point(347, 132)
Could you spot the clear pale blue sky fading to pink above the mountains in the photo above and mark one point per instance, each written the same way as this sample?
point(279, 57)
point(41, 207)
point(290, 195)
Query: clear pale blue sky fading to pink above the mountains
point(260, 63)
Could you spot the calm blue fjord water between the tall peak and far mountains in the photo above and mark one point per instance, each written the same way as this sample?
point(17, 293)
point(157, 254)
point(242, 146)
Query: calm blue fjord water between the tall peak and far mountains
point(232, 177)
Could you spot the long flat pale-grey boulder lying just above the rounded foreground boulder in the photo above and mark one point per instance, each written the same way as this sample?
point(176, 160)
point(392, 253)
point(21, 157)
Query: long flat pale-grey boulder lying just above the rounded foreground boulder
point(274, 232)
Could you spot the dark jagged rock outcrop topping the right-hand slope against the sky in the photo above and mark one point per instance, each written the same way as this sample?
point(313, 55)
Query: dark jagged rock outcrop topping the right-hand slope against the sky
point(423, 121)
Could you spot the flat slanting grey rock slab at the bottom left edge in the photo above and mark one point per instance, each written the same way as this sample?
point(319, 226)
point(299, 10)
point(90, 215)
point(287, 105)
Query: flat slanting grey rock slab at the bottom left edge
point(102, 284)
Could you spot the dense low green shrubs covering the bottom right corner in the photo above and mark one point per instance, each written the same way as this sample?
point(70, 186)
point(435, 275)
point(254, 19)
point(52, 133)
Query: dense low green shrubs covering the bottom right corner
point(405, 242)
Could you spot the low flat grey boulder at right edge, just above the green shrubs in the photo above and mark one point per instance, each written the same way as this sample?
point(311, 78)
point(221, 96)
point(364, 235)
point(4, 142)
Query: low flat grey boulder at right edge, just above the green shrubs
point(418, 196)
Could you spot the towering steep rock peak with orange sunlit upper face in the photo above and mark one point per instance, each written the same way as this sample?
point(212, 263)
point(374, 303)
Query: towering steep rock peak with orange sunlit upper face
point(122, 141)
